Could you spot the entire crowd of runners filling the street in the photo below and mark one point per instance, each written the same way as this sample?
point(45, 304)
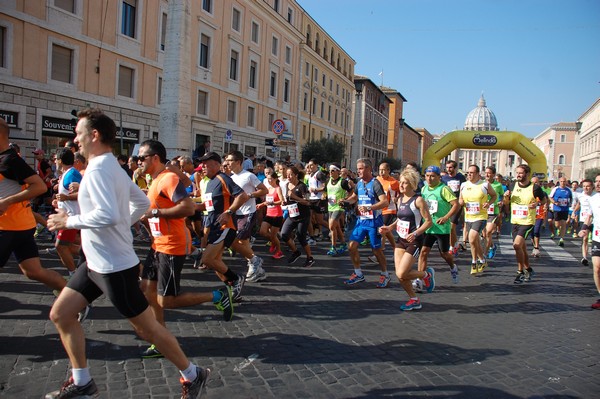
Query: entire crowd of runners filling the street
point(193, 211)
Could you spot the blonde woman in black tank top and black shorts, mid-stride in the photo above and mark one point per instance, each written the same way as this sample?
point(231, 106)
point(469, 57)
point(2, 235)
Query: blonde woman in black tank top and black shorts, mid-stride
point(413, 219)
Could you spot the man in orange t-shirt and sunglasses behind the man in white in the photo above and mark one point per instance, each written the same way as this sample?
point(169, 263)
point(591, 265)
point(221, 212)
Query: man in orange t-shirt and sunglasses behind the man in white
point(170, 204)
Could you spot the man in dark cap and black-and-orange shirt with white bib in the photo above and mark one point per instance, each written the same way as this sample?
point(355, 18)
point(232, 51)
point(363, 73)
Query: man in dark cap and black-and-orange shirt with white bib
point(221, 200)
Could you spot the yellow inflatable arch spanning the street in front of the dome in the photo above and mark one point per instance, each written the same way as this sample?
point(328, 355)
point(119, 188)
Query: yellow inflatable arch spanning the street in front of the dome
point(488, 140)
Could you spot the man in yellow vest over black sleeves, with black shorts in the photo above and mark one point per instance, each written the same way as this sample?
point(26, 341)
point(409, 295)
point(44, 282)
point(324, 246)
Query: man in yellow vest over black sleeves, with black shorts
point(524, 197)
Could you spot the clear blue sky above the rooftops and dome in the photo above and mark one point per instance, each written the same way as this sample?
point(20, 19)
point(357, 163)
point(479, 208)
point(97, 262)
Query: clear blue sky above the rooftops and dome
point(537, 62)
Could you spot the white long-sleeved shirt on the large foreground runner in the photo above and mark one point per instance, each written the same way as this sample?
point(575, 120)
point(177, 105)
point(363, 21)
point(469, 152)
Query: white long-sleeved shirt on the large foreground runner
point(110, 203)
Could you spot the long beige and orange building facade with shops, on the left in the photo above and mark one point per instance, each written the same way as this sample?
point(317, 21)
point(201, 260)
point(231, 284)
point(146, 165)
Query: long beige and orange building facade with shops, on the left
point(195, 75)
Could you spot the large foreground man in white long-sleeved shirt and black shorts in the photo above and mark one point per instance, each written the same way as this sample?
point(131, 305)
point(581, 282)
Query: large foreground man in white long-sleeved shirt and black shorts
point(109, 202)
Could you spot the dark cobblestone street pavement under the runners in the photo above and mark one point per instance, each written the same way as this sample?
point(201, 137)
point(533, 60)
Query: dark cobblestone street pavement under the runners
point(302, 334)
